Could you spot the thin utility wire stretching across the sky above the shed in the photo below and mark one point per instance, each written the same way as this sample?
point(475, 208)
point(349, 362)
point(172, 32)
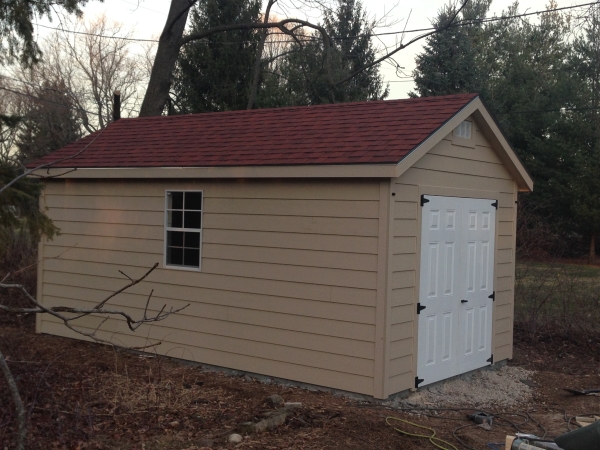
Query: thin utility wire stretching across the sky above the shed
point(309, 38)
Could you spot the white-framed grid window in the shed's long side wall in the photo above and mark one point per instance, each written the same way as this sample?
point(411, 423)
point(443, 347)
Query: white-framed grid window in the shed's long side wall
point(183, 229)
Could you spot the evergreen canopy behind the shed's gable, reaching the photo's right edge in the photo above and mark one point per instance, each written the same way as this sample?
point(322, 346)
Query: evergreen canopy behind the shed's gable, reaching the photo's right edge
point(542, 87)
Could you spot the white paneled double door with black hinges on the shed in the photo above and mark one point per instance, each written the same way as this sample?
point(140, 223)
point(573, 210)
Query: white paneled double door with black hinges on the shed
point(456, 286)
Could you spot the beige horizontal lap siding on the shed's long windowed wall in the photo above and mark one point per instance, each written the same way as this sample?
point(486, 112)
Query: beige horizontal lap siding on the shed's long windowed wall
point(288, 282)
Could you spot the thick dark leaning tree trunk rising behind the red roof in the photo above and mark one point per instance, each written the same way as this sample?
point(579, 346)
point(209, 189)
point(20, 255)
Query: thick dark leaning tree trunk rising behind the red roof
point(167, 52)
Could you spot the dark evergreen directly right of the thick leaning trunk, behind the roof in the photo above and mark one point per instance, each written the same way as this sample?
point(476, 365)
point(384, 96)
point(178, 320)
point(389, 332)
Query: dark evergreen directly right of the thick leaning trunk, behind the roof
point(216, 74)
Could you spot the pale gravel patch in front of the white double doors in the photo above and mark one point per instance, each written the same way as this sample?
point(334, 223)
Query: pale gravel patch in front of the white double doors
point(483, 389)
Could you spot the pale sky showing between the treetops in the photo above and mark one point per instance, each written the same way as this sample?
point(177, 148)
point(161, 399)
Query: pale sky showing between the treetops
point(147, 17)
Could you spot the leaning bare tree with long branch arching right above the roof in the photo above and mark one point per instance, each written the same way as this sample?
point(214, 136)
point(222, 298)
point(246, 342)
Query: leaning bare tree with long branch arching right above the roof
point(172, 39)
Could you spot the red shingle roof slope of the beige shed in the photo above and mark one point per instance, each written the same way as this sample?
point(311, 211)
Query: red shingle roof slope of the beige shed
point(379, 132)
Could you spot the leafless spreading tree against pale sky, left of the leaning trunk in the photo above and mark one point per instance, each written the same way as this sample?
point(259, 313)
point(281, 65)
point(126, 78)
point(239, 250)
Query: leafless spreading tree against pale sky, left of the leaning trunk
point(92, 63)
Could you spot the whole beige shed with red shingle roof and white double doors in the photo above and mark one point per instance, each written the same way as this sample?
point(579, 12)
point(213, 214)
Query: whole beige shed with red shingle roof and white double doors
point(367, 247)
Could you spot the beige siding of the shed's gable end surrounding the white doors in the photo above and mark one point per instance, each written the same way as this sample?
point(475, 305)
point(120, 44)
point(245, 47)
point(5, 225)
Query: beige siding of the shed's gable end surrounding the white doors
point(452, 170)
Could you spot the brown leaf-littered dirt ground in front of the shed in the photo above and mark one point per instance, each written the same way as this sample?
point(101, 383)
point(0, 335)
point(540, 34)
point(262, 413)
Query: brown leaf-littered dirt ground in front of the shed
point(82, 395)
